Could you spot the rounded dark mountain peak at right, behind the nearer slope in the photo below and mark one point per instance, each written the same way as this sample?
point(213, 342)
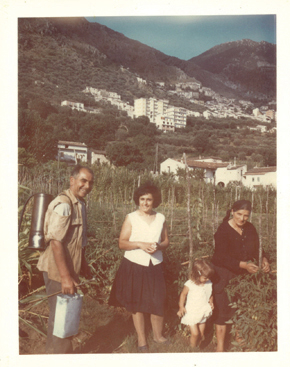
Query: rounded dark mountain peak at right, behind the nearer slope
point(249, 66)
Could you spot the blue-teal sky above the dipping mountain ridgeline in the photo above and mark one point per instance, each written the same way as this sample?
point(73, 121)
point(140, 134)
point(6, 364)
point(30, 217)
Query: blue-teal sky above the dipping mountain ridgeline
point(189, 36)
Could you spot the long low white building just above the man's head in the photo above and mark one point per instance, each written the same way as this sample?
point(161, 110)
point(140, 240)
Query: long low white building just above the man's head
point(72, 152)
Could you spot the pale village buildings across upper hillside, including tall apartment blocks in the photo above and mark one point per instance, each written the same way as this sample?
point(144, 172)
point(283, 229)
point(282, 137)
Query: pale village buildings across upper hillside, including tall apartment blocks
point(168, 118)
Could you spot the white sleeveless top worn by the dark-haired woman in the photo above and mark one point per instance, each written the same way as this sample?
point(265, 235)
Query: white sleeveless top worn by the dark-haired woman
point(144, 232)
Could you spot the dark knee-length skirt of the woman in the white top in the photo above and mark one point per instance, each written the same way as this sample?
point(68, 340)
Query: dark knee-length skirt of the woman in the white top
point(139, 288)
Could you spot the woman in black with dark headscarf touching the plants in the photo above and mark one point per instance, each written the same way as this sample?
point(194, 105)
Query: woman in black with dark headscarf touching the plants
point(236, 248)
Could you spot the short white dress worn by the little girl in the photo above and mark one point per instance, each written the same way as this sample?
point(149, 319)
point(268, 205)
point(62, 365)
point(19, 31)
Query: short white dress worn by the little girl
point(197, 306)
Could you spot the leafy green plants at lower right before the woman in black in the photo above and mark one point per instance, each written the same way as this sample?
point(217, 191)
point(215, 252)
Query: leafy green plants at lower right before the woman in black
point(254, 298)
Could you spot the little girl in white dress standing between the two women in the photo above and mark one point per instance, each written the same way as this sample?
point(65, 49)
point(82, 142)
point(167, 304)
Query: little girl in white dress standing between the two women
point(197, 292)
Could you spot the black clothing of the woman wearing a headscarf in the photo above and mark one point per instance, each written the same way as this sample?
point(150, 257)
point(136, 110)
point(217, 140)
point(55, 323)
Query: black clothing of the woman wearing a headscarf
point(230, 249)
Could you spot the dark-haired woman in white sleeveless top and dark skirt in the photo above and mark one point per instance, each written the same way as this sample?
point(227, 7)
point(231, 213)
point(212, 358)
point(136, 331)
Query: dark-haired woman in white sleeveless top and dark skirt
point(139, 285)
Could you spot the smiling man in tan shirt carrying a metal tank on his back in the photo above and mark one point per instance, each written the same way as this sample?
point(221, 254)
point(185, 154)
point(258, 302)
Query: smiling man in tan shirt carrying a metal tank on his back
point(65, 232)
